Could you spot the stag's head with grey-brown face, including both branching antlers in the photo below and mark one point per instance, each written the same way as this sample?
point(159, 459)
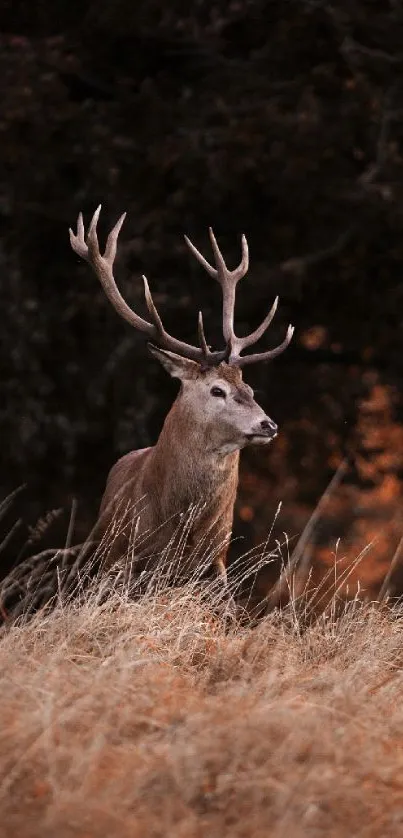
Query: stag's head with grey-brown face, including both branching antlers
point(213, 396)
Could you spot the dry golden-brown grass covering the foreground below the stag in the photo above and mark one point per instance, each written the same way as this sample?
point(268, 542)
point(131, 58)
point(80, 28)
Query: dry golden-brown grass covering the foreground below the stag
point(151, 718)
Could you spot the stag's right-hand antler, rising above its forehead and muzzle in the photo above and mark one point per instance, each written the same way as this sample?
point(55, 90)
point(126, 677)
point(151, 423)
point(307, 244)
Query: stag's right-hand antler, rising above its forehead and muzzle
point(228, 281)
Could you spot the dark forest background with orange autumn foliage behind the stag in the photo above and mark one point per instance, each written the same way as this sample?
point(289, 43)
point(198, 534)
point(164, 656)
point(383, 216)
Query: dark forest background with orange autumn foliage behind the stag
point(283, 120)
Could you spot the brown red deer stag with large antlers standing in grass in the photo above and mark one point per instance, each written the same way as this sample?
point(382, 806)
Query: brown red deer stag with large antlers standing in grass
point(195, 461)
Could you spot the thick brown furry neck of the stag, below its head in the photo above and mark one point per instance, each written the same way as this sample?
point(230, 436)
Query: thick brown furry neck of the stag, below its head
point(187, 462)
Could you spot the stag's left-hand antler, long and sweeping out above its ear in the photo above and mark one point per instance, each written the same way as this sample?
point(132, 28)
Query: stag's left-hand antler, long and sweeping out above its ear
point(87, 247)
